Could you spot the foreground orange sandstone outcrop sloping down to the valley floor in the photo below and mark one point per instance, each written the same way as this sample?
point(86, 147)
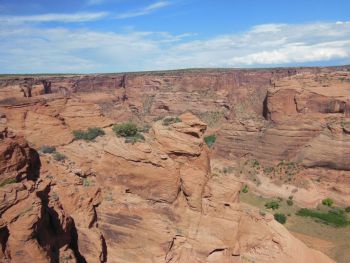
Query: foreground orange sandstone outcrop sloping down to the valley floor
point(152, 201)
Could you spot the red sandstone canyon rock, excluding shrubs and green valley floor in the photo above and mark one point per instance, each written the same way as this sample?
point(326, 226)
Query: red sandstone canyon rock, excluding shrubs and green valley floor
point(169, 198)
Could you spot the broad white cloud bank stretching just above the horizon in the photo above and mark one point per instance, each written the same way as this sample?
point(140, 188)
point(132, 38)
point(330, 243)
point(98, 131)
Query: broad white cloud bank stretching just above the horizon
point(34, 49)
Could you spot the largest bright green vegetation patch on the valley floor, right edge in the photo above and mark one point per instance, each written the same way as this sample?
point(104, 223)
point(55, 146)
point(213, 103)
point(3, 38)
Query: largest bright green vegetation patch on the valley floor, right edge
point(333, 217)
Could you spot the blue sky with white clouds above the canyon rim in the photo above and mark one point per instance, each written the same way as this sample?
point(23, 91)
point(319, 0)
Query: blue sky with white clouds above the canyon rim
point(45, 36)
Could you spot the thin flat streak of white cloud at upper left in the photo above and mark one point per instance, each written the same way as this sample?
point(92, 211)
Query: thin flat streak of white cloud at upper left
point(66, 18)
